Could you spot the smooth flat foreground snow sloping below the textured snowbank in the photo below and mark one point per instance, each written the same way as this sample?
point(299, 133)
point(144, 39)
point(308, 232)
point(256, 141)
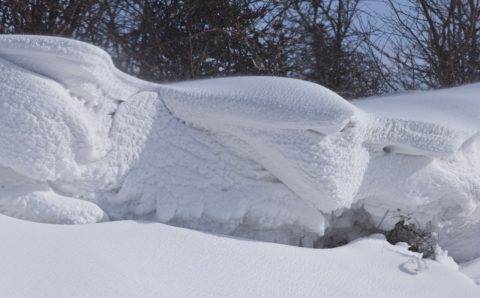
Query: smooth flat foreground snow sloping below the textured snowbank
point(141, 259)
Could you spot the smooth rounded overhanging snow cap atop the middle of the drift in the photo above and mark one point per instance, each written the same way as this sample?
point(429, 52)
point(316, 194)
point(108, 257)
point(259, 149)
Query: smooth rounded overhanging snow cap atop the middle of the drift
point(267, 103)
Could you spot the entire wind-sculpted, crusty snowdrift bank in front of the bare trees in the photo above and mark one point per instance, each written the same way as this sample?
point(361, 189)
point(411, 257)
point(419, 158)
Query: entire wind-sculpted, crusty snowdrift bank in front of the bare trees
point(259, 157)
